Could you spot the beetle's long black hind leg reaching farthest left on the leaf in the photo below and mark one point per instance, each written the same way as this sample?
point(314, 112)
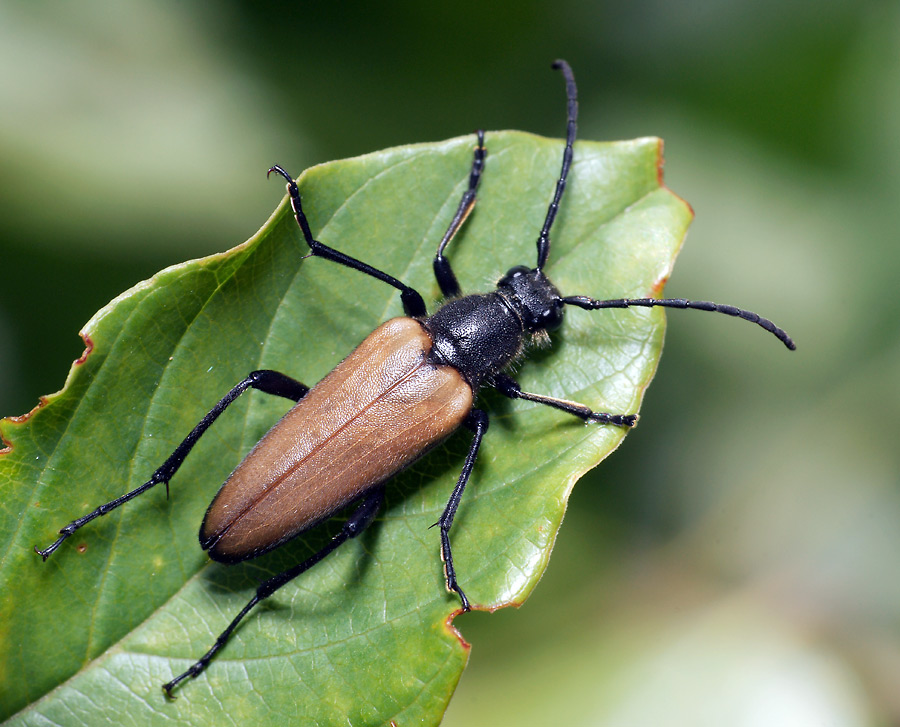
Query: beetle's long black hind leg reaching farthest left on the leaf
point(270, 382)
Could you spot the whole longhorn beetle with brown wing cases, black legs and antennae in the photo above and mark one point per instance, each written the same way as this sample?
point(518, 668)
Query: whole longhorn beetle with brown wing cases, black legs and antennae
point(420, 372)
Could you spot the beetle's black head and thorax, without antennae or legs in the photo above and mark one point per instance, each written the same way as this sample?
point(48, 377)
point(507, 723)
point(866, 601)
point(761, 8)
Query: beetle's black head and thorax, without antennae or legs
point(480, 334)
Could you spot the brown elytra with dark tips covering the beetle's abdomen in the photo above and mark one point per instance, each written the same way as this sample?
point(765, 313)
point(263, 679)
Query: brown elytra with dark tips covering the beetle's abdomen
point(381, 408)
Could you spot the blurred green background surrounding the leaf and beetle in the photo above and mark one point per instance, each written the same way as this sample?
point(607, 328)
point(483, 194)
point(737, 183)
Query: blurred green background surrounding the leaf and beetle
point(736, 561)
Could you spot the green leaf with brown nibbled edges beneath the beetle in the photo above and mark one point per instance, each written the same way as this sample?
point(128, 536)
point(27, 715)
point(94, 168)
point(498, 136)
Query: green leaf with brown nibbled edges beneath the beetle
point(364, 637)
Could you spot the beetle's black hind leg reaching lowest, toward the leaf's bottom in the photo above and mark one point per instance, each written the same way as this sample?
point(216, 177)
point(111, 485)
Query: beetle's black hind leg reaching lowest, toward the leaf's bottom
point(356, 523)
